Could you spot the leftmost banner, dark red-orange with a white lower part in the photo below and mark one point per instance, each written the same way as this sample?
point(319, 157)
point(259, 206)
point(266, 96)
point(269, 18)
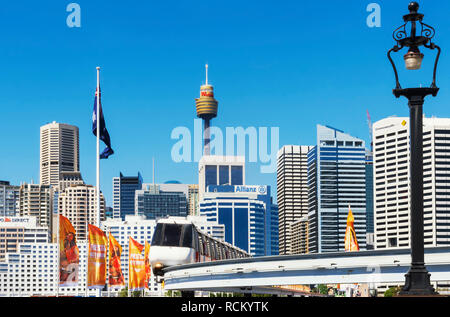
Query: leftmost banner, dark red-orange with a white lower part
point(69, 258)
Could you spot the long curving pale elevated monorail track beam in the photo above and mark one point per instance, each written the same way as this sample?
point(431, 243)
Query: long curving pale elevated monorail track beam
point(380, 266)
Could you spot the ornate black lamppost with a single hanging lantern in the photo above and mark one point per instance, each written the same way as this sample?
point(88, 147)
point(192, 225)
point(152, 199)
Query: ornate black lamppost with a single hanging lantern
point(414, 34)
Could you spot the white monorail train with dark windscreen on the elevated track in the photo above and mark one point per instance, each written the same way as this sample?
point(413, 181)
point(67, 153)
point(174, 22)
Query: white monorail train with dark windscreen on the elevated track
point(177, 240)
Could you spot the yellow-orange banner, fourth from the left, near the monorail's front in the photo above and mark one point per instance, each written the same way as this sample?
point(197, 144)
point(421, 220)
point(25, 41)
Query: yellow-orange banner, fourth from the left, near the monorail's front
point(136, 266)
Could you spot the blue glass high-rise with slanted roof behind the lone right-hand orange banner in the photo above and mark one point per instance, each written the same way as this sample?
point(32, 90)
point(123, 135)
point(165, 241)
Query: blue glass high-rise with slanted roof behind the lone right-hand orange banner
point(336, 182)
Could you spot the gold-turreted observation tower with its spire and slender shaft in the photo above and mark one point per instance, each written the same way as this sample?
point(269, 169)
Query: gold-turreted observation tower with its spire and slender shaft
point(206, 107)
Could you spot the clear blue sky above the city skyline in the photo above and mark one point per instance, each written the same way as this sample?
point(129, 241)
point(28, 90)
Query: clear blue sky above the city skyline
point(288, 64)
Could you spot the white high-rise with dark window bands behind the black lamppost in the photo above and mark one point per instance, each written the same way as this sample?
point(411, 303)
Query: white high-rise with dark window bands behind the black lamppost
point(391, 182)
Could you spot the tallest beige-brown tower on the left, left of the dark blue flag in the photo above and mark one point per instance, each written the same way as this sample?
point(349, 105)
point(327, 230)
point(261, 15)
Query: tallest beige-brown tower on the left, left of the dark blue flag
point(59, 152)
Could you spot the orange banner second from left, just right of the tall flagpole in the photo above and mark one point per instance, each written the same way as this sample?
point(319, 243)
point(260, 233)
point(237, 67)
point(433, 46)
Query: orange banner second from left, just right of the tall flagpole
point(97, 257)
